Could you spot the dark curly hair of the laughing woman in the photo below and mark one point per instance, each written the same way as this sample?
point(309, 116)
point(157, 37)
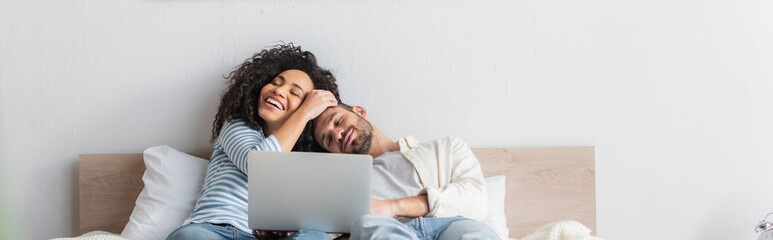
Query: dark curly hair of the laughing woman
point(241, 96)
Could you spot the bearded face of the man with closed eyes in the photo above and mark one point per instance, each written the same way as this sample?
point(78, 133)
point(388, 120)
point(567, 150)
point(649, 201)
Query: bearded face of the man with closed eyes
point(339, 130)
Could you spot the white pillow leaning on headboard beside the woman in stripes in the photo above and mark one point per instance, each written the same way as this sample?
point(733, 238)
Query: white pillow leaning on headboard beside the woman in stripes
point(173, 182)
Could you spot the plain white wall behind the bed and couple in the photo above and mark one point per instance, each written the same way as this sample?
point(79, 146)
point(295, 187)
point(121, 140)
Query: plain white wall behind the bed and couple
point(675, 95)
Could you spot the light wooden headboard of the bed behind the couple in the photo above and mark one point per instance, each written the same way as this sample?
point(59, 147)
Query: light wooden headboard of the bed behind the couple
point(543, 185)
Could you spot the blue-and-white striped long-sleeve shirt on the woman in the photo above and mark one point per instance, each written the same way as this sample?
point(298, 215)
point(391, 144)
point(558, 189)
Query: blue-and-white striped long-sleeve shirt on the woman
point(223, 198)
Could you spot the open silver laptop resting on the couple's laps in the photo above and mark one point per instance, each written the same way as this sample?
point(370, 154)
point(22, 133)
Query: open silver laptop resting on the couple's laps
point(300, 190)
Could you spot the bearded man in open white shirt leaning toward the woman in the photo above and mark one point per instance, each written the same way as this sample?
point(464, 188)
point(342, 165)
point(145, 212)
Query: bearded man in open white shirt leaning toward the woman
point(420, 190)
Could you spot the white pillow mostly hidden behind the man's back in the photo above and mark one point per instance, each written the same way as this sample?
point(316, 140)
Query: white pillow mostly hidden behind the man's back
point(496, 205)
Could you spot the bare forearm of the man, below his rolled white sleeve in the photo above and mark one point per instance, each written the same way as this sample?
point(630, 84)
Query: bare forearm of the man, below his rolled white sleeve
point(406, 207)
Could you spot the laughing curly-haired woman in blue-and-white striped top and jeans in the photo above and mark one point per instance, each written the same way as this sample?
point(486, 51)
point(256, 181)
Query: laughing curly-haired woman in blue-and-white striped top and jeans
point(269, 101)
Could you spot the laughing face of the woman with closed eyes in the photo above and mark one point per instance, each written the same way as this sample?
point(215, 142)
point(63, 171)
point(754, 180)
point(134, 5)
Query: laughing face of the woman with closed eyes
point(280, 98)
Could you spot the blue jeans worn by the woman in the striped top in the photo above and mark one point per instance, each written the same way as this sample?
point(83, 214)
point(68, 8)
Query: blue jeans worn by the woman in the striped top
point(228, 232)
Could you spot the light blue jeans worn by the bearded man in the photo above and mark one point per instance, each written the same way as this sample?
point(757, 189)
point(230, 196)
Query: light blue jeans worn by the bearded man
point(383, 227)
